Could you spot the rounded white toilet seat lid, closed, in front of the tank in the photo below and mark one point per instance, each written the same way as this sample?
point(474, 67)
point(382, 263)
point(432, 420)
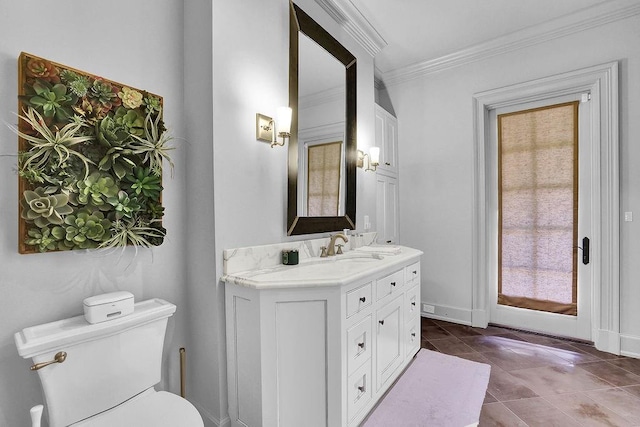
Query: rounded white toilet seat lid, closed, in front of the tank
point(150, 408)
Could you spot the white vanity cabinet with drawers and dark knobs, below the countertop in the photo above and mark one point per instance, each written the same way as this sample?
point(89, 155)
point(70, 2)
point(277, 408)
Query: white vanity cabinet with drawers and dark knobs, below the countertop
point(320, 355)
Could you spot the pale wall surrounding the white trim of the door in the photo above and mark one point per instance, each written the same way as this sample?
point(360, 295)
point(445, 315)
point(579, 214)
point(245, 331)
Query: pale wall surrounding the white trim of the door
point(436, 164)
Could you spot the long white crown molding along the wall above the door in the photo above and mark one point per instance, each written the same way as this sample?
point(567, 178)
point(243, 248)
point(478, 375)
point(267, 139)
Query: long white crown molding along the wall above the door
point(592, 17)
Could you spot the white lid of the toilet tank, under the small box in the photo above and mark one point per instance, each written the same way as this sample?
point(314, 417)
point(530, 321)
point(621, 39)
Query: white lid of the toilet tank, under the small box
point(52, 336)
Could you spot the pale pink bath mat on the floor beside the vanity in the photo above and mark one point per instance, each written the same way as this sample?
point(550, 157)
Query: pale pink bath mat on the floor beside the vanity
point(436, 390)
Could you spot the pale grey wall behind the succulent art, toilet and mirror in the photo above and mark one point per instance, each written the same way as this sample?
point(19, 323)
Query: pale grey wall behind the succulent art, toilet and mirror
point(216, 68)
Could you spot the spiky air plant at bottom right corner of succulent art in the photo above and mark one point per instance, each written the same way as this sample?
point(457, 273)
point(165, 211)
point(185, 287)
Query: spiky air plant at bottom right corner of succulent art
point(134, 231)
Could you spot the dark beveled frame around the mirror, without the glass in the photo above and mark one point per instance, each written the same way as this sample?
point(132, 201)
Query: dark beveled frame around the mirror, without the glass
point(300, 21)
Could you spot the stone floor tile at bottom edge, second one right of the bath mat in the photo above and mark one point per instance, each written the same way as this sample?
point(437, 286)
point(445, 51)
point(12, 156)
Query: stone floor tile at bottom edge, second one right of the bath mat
point(537, 412)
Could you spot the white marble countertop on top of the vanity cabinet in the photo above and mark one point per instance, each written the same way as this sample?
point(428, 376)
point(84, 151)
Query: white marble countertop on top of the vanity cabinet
point(337, 270)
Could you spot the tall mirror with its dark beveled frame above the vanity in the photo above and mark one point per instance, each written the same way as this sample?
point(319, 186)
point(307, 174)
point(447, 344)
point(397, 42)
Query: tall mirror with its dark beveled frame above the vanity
point(322, 152)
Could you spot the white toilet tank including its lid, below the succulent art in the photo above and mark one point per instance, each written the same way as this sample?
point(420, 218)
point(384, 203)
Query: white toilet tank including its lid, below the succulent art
point(107, 363)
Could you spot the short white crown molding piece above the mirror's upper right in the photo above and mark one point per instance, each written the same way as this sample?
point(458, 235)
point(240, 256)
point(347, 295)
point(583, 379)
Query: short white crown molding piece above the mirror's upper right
point(354, 23)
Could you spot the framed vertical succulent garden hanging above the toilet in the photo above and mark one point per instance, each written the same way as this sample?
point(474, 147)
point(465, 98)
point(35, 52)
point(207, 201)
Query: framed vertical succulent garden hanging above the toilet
point(90, 160)
